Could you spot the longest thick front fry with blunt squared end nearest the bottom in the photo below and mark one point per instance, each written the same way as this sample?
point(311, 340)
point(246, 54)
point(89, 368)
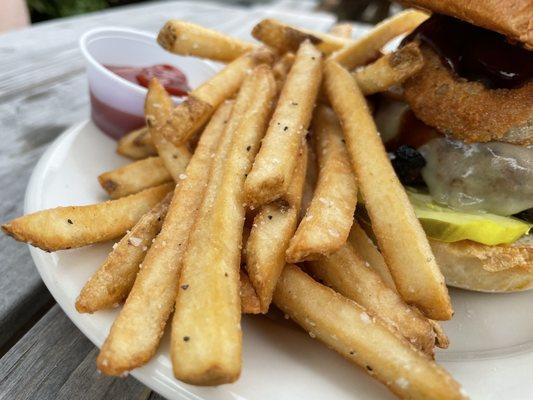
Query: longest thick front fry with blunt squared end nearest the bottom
point(206, 338)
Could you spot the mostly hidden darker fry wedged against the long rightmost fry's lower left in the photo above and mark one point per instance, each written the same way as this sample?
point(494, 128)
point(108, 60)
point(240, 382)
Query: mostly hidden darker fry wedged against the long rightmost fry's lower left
point(364, 246)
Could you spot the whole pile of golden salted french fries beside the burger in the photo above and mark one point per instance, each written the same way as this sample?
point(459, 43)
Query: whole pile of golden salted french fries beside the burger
point(243, 196)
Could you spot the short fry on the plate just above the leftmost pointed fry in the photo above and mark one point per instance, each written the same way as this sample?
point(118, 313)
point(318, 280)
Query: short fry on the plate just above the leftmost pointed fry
point(134, 177)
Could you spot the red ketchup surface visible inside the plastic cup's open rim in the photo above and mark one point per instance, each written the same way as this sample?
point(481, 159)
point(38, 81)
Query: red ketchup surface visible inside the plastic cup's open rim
point(174, 81)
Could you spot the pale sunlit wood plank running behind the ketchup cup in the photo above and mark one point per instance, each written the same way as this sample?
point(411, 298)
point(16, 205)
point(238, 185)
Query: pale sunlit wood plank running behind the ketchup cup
point(48, 52)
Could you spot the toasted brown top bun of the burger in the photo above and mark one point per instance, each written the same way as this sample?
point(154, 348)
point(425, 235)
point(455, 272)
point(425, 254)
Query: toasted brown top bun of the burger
point(512, 18)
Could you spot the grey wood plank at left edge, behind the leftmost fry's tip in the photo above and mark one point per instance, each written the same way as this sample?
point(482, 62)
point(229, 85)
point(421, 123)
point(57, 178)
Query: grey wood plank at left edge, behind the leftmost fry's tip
point(29, 124)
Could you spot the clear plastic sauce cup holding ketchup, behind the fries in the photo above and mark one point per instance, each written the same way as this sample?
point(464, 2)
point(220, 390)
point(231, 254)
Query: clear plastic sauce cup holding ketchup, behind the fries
point(117, 105)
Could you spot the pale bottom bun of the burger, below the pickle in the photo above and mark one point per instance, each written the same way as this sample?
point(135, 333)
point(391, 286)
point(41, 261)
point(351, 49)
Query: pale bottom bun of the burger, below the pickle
point(474, 266)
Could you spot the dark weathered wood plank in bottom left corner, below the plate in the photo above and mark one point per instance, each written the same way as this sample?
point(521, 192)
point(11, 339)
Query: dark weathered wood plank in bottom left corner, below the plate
point(55, 361)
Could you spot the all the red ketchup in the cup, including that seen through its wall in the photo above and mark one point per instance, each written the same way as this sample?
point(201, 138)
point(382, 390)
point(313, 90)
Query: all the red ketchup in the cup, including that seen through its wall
point(117, 123)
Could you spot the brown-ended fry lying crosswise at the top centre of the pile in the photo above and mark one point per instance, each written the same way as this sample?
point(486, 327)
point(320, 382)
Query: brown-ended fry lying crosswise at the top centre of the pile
point(285, 38)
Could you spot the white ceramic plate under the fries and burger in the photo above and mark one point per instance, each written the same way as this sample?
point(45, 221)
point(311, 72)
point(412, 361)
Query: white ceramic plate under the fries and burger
point(491, 334)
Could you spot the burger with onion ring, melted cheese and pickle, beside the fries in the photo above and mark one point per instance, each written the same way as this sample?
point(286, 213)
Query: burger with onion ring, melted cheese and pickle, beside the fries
point(461, 139)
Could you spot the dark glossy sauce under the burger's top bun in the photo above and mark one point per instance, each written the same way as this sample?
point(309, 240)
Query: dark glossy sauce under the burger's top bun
point(475, 53)
